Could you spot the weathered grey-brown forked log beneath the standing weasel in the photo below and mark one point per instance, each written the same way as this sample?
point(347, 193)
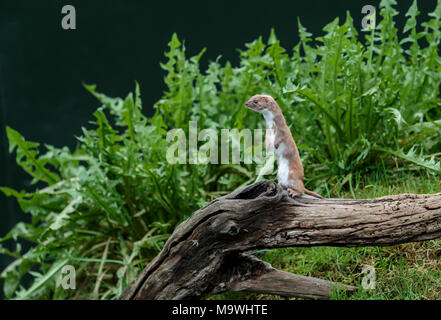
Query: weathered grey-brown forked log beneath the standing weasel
point(210, 252)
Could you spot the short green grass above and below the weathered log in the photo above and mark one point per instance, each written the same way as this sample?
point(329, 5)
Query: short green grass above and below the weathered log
point(406, 272)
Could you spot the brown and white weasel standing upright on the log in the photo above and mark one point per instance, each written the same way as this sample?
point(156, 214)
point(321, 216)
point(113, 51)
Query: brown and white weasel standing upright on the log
point(278, 136)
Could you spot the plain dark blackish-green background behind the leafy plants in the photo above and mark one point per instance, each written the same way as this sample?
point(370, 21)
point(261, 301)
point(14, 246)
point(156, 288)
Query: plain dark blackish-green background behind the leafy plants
point(116, 42)
